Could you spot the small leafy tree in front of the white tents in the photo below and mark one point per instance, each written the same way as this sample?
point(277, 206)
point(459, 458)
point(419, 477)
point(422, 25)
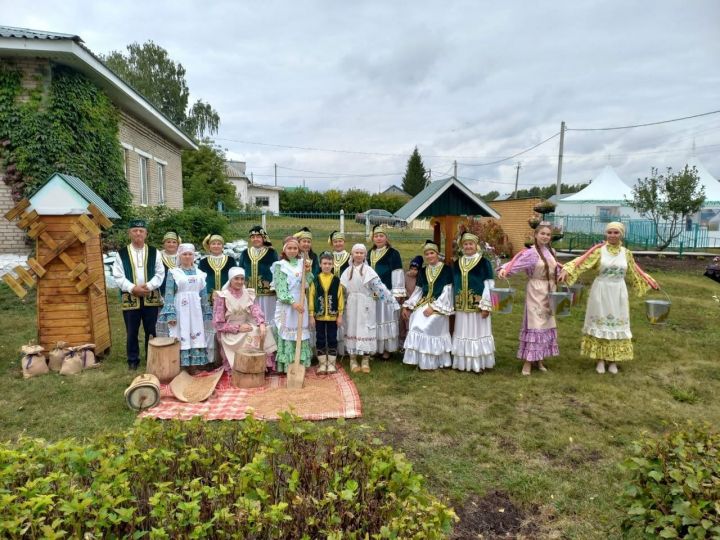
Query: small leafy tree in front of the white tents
point(667, 200)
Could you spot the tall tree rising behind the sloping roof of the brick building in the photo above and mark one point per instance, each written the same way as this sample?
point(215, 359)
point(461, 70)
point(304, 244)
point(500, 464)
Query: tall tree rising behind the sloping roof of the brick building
point(149, 69)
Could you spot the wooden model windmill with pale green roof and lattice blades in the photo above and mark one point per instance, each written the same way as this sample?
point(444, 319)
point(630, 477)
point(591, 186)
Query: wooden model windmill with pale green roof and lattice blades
point(65, 218)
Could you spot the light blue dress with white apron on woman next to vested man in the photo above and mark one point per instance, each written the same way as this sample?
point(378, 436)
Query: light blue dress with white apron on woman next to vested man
point(186, 304)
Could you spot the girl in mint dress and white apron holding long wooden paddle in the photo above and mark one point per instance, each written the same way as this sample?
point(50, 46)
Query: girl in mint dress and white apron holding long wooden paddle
point(287, 273)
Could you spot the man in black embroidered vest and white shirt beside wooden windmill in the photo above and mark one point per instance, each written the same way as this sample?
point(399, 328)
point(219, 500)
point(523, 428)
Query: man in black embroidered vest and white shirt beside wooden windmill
point(139, 272)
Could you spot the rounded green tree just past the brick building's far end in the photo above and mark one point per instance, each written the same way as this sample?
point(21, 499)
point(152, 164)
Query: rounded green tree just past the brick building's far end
point(205, 181)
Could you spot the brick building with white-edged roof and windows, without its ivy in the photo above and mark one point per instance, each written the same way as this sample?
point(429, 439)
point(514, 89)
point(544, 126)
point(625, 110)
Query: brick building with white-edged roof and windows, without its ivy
point(151, 144)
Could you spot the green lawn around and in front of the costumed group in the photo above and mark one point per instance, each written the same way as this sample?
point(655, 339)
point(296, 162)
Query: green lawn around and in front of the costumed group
point(551, 441)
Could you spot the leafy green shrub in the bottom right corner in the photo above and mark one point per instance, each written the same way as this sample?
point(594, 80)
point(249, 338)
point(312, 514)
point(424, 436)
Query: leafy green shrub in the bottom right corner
point(674, 487)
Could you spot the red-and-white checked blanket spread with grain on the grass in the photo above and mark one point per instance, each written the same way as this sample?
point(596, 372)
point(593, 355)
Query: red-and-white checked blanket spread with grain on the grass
point(322, 397)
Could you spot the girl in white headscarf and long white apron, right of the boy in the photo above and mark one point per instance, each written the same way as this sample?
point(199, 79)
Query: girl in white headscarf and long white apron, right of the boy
point(361, 284)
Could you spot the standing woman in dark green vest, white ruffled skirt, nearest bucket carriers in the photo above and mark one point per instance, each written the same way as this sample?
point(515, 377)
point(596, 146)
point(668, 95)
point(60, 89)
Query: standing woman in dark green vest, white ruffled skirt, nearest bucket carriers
point(473, 346)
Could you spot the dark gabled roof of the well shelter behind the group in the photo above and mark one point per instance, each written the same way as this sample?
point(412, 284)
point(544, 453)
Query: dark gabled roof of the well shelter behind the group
point(448, 197)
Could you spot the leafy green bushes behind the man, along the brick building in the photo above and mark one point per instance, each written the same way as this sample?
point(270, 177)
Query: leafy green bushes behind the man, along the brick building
point(192, 224)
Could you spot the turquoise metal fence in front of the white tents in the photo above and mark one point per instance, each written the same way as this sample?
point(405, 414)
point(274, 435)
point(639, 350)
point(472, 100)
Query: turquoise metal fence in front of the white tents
point(582, 231)
